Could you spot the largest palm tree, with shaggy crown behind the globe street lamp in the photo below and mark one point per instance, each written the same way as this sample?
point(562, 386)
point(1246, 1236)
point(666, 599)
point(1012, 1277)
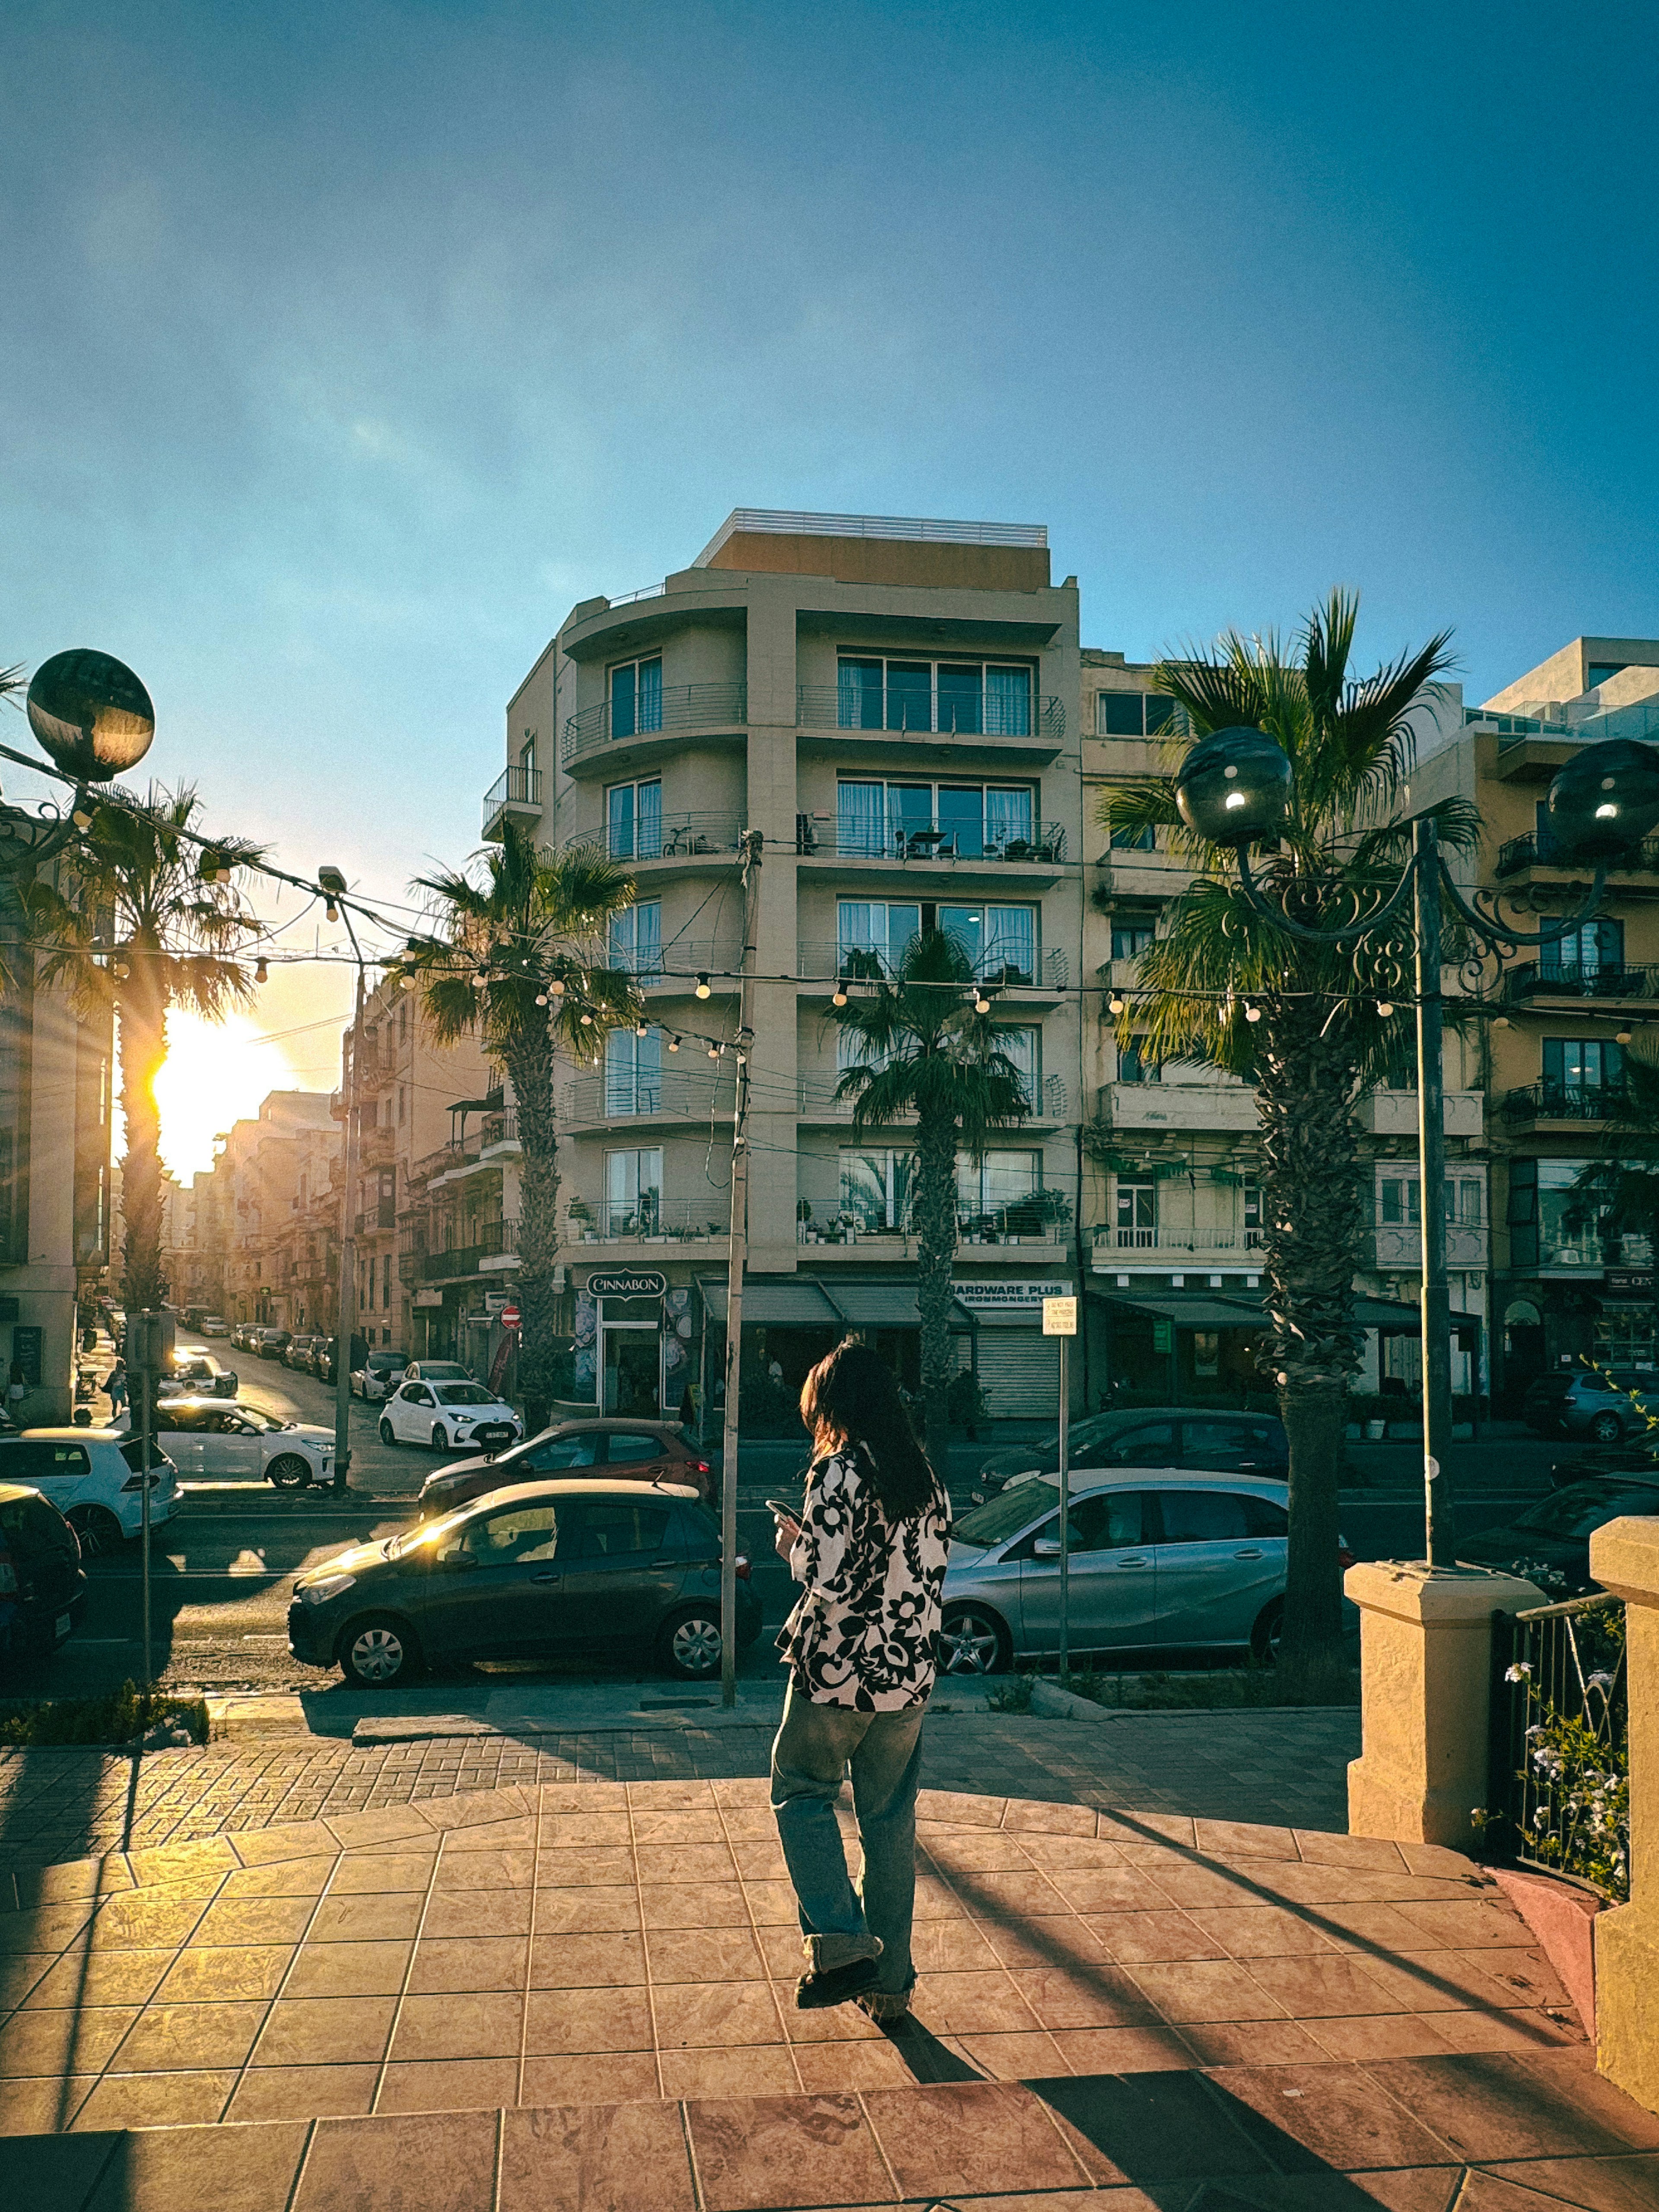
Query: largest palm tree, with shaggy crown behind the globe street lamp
point(1302, 1023)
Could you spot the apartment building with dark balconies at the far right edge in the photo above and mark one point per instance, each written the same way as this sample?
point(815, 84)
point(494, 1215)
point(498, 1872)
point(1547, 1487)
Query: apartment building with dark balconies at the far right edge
point(1563, 1288)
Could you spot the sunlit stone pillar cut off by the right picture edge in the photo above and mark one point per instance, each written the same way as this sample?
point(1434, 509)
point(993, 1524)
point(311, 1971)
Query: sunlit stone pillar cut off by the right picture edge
point(1625, 1558)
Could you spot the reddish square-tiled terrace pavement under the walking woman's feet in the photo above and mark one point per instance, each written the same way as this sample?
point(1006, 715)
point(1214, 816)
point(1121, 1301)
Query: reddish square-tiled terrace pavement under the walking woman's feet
point(576, 1996)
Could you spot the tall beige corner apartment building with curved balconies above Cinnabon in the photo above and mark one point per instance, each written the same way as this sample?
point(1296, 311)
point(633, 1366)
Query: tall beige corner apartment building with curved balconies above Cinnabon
point(895, 709)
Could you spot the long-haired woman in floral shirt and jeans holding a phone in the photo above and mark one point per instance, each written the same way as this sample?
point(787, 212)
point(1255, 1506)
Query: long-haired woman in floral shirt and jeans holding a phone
point(870, 1554)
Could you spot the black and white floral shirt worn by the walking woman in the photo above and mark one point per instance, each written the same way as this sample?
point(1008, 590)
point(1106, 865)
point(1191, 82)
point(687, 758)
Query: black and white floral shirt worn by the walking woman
point(866, 1625)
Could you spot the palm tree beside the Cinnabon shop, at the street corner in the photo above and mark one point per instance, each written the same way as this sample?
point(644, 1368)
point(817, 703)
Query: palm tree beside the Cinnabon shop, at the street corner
point(521, 959)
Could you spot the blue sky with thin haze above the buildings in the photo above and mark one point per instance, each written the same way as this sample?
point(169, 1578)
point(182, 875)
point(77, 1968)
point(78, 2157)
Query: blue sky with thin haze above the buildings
point(348, 346)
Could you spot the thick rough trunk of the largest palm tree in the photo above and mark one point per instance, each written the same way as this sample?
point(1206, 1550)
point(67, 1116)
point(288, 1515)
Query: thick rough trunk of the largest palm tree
point(1313, 1242)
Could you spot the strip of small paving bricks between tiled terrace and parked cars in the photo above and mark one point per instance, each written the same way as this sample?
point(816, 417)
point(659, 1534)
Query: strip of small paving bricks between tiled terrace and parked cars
point(1227, 1766)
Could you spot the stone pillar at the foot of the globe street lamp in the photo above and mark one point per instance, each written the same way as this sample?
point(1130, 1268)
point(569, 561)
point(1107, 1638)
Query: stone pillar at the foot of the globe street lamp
point(1426, 1689)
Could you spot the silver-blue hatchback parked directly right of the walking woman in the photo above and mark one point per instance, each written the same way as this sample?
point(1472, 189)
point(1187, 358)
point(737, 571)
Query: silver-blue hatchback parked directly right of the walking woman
point(1158, 1558)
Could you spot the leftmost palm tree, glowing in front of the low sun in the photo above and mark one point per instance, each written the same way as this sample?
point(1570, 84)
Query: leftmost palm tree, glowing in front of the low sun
point(138, 926)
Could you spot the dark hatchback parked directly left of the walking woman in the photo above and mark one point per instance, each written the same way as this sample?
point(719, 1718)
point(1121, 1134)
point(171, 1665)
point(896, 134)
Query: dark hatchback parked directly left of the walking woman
point(530, 1572)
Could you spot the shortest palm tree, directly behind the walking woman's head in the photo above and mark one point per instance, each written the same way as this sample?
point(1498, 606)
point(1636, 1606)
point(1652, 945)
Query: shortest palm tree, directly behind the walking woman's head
point(921, 1050)
